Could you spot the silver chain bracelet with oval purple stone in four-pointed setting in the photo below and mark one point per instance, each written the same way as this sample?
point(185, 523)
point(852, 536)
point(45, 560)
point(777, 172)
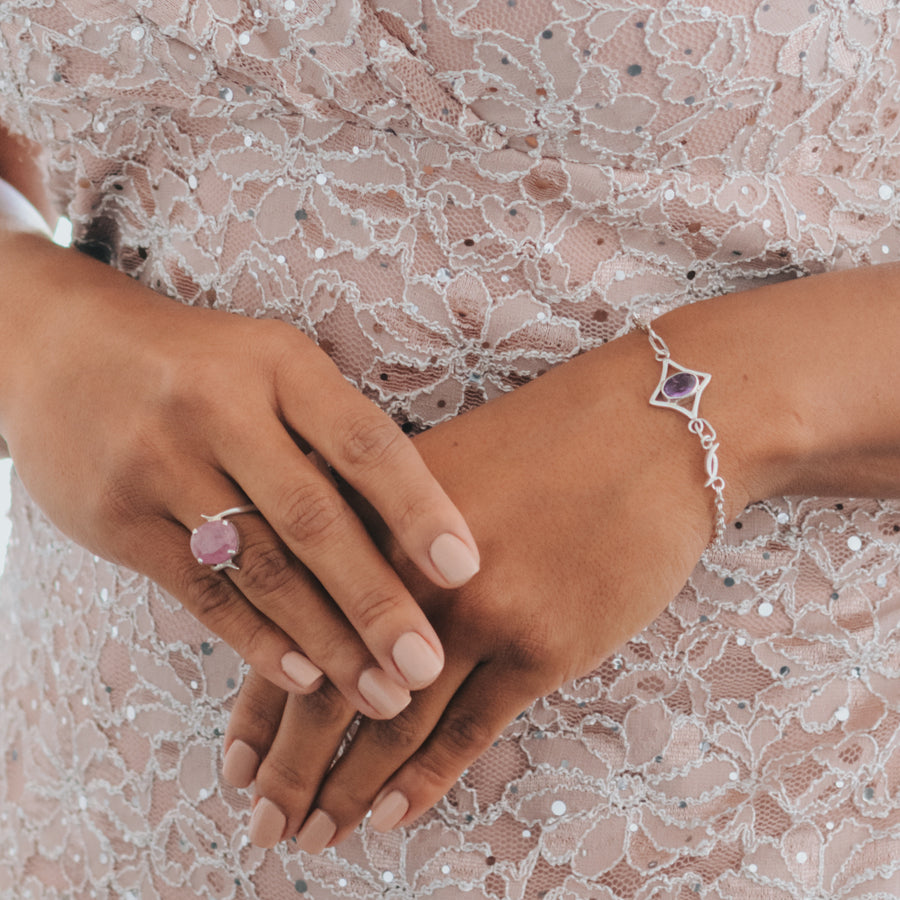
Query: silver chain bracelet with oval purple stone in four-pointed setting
point(680, 388)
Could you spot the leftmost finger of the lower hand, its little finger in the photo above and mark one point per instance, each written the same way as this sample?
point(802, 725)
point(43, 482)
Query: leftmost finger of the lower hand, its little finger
point(252, 727)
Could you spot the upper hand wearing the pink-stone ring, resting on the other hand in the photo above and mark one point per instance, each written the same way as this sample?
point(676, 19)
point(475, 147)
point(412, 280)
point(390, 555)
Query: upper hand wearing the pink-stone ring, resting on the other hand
point(129, 416)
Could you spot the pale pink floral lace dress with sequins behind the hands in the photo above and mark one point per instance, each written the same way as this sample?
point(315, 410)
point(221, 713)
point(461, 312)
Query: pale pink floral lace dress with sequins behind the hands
point(451, 196)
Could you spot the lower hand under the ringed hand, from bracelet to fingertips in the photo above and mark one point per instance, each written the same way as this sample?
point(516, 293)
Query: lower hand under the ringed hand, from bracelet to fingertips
point(590, 510)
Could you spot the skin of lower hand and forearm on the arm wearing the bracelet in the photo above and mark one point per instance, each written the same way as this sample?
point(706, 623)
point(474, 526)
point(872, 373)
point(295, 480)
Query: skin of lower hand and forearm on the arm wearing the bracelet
point(590, 509)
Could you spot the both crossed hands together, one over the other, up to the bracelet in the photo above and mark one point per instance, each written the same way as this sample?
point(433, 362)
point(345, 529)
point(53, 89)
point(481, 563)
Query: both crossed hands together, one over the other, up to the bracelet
point(588, 507)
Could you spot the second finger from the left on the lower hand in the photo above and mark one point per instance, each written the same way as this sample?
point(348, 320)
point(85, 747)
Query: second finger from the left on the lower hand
point(311, 730)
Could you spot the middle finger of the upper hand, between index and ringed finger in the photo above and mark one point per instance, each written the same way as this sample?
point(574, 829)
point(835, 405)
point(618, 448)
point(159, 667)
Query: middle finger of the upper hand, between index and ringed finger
point(319, 528)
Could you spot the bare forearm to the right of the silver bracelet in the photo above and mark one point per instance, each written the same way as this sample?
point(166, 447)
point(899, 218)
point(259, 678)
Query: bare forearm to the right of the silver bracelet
point(803, 393)
